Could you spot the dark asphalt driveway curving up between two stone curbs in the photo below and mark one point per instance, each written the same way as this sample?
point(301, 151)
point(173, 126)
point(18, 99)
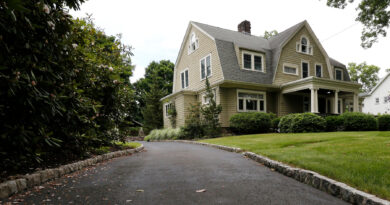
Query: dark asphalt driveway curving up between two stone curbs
point(172, 173)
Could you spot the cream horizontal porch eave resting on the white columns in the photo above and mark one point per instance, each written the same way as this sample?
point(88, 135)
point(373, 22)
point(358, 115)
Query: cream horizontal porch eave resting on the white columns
point(320, 83)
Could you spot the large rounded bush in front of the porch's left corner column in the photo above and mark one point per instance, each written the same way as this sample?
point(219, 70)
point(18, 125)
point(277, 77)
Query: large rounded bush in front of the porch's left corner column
point(302, 122)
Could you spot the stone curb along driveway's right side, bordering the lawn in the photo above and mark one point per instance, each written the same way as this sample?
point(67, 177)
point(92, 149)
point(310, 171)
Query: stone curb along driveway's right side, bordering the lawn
point(330, 186)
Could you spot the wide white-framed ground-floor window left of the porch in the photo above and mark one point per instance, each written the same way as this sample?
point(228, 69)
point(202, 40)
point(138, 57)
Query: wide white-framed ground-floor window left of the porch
point(249, 101)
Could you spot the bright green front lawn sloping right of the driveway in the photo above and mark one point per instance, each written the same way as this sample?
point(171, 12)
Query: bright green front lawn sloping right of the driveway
point(360, 159)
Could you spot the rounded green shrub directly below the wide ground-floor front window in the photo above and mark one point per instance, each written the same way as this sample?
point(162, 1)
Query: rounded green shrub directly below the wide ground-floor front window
point(250, 123)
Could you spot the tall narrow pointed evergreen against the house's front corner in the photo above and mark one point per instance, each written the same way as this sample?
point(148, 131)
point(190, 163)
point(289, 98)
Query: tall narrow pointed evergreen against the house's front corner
point(210, 113)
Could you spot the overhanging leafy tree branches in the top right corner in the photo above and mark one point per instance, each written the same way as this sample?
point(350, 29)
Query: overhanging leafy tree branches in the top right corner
point(373, 14)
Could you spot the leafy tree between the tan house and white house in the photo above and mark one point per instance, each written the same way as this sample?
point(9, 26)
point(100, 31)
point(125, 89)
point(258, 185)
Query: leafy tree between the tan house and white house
point(365, 74)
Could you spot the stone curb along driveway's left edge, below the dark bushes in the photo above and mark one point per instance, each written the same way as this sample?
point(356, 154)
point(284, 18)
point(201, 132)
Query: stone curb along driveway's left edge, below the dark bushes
point(11, 187)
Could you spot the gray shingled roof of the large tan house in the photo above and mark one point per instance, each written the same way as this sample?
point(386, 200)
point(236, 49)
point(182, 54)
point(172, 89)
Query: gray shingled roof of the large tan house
point(227, 40)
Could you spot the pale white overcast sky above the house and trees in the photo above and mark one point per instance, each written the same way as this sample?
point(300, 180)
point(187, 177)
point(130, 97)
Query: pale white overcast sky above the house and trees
point(155, 29)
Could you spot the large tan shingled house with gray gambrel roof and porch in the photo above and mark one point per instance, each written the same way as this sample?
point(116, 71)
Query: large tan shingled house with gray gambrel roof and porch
point(288, 73)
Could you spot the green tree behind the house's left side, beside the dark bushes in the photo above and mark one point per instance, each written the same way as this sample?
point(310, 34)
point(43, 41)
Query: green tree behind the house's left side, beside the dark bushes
point(159, 74)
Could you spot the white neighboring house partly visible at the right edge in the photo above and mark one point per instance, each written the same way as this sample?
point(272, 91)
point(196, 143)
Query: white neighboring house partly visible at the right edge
point(377, 101)
